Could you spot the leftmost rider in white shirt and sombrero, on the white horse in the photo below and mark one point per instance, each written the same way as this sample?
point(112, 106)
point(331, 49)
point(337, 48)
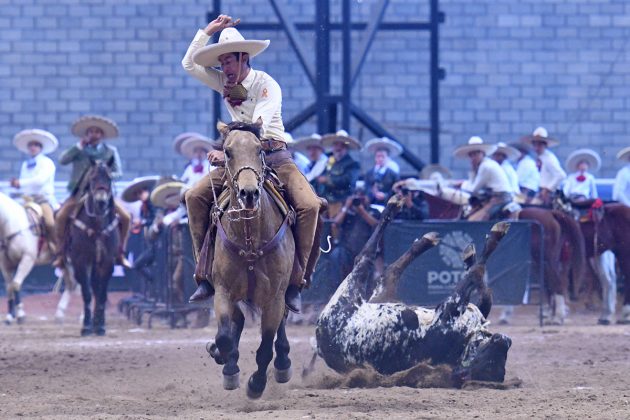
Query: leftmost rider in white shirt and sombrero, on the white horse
point(37, 176)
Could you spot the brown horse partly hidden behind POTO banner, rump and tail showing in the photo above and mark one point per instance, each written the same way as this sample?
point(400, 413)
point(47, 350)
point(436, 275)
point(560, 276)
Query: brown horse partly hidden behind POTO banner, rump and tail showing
point(558, 229)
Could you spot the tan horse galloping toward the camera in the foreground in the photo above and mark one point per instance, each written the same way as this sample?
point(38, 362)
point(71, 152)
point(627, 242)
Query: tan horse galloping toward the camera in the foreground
point(253, 261)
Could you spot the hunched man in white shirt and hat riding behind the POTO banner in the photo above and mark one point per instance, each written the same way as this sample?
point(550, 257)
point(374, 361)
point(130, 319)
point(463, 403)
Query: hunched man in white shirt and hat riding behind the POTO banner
point(487, 177)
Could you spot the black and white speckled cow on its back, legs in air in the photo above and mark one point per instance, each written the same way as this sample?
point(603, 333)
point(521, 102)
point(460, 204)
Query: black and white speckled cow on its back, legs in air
point(354, 331)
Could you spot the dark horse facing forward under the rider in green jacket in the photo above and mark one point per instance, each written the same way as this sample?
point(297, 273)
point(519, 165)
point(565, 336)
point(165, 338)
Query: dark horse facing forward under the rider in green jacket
point(93, 239)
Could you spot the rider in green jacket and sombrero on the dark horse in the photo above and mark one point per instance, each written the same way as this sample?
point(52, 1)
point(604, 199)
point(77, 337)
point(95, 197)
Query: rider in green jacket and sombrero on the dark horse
point(91, 130)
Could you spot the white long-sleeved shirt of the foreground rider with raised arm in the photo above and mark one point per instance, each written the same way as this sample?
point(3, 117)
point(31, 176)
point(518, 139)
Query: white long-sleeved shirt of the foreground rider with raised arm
point(264, 96)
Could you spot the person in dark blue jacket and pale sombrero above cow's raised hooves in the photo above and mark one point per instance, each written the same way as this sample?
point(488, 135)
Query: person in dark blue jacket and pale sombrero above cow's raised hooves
point(381, 178)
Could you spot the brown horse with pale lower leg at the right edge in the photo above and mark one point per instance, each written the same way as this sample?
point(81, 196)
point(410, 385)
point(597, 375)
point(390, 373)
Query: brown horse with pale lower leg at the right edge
point(609, 229)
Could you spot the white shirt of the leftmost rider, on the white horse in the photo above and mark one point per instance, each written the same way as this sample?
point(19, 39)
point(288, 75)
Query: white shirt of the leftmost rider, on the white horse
point(39, 179)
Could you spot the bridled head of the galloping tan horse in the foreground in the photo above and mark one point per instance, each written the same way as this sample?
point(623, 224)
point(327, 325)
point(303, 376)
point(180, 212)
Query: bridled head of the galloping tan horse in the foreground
point(244, 161)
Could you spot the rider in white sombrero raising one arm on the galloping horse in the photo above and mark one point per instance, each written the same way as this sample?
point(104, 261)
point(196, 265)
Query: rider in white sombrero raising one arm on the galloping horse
point(248, 95)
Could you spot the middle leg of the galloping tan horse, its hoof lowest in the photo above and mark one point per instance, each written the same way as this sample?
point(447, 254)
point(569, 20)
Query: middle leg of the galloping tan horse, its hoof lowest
point(271, 319)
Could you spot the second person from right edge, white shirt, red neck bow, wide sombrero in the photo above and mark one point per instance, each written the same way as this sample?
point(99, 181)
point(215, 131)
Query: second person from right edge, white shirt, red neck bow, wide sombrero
point(580, 185)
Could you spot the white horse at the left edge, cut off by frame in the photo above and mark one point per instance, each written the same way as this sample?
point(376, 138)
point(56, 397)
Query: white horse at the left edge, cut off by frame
point(20, 250)
